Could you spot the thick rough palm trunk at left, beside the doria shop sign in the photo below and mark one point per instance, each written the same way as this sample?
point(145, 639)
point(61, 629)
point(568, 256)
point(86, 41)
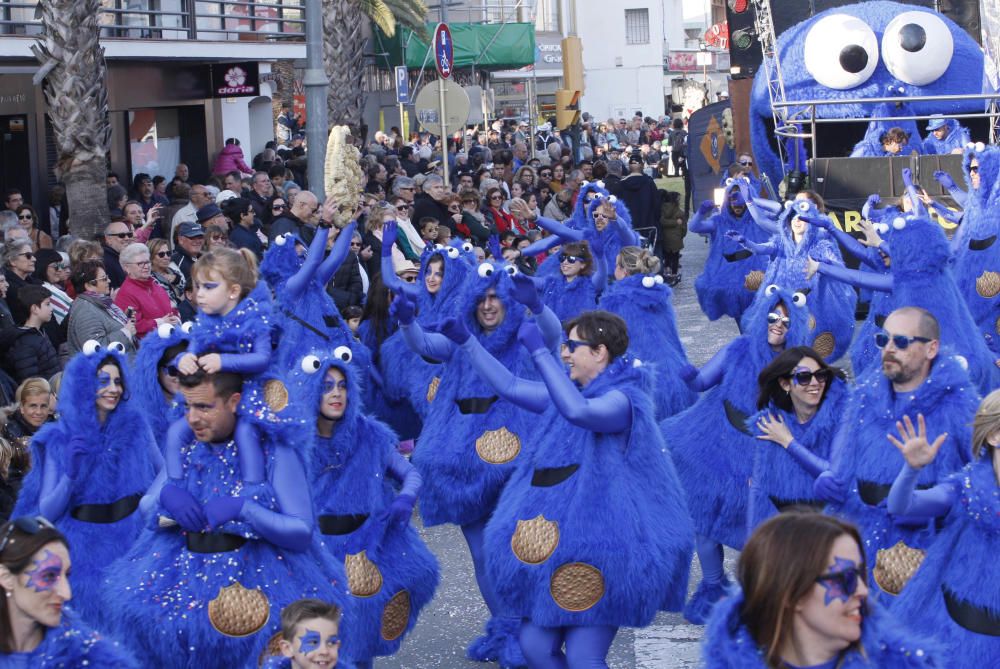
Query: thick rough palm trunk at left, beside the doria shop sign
point(74, 75)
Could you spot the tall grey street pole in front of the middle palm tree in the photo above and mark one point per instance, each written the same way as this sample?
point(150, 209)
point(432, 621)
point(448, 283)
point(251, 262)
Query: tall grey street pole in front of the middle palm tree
point(315, 83)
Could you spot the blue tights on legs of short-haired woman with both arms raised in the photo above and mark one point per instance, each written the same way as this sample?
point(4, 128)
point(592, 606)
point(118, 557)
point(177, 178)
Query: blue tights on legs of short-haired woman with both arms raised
point(586, 646)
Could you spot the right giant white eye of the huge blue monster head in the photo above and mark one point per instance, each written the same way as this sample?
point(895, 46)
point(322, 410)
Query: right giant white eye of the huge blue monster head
point(917, 47)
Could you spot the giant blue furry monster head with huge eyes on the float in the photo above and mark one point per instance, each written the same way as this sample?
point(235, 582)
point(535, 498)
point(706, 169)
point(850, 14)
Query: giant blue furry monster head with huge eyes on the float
point(827, 79)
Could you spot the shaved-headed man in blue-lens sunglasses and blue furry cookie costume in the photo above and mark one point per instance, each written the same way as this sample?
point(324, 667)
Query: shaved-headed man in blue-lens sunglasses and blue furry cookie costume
point(918, 376)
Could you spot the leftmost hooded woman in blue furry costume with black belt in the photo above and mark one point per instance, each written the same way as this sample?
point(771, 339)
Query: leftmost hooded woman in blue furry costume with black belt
point(91, 468)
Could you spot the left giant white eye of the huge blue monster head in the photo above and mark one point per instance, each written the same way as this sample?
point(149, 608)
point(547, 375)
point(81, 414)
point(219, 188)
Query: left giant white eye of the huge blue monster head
point(841, 51)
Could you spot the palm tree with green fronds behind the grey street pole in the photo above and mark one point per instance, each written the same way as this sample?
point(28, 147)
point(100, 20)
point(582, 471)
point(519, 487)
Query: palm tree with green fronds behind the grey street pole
point(344, 47)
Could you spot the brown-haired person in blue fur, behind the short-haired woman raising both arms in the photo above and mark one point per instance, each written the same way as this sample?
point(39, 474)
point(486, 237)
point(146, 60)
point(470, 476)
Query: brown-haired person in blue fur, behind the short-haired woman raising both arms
point(639, 296)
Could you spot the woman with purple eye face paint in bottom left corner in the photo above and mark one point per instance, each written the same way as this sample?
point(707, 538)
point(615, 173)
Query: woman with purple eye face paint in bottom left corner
point(40, 630)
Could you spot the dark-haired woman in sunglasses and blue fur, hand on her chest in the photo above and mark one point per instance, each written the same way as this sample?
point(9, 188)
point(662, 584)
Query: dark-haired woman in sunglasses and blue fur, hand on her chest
point(800, 403)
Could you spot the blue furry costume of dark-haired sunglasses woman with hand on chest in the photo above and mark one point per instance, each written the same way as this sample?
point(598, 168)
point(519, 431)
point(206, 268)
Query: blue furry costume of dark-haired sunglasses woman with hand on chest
point(779, 477)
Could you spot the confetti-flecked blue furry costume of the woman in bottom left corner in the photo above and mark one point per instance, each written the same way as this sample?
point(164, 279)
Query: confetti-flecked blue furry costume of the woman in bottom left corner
point(73, 644)
